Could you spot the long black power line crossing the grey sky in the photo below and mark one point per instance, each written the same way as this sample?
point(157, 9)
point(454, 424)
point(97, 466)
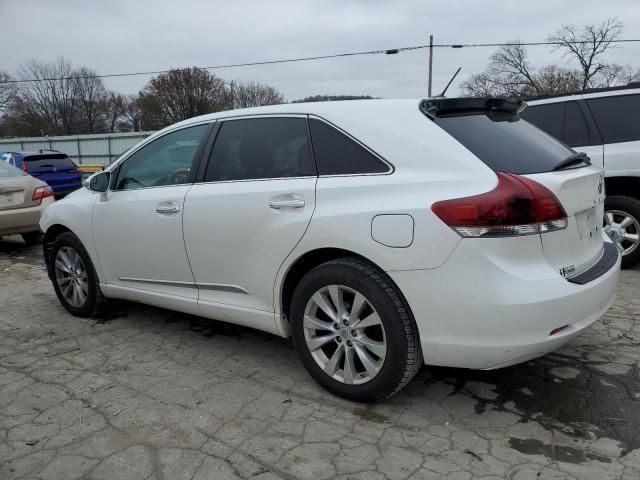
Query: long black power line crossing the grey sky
point(390, 51)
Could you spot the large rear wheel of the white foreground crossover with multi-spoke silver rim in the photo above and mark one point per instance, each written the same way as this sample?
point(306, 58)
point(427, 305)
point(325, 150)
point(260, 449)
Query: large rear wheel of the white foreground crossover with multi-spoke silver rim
point(353, 331)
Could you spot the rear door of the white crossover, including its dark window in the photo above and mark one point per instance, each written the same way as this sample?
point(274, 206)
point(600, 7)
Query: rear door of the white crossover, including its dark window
point(251, 208)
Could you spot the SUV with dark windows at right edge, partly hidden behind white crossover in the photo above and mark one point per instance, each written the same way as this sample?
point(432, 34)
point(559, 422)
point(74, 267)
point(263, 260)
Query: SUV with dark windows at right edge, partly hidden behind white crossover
point(605, 124)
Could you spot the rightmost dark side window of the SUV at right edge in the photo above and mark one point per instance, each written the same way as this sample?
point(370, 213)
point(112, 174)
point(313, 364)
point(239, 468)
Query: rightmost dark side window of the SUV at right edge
point(618, 118)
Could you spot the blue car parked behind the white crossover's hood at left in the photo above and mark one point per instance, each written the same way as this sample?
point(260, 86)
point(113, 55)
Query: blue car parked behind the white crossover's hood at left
point(50, 166)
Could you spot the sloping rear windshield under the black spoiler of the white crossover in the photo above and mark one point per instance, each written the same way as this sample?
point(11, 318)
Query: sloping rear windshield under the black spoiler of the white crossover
point(506, 143)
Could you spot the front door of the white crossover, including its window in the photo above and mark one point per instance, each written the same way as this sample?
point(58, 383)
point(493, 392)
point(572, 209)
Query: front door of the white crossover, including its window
point(137, 224)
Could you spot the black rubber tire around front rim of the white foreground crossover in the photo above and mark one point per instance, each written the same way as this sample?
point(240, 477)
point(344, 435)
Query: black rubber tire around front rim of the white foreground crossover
point(95, 301)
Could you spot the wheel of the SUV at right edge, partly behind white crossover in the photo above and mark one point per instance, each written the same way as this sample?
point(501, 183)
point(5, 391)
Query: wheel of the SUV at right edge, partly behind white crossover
point(622, 224)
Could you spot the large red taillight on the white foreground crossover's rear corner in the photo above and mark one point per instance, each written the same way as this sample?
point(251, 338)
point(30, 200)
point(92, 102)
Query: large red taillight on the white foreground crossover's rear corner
point(517, 206)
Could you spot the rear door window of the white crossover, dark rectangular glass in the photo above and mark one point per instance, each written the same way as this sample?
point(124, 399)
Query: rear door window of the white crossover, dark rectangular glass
point(257, 148)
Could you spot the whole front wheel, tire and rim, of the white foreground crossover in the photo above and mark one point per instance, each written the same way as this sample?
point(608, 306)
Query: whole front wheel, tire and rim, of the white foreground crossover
point(74, 278)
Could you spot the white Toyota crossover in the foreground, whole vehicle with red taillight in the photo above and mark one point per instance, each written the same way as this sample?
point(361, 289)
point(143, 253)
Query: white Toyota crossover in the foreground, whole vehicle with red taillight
point(379, 234)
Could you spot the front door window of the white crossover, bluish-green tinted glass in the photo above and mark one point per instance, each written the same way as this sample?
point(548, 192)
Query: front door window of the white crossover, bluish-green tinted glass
point(165, 161)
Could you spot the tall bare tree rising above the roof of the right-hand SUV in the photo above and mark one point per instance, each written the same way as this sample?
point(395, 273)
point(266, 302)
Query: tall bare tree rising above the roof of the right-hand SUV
point(587, 45)
